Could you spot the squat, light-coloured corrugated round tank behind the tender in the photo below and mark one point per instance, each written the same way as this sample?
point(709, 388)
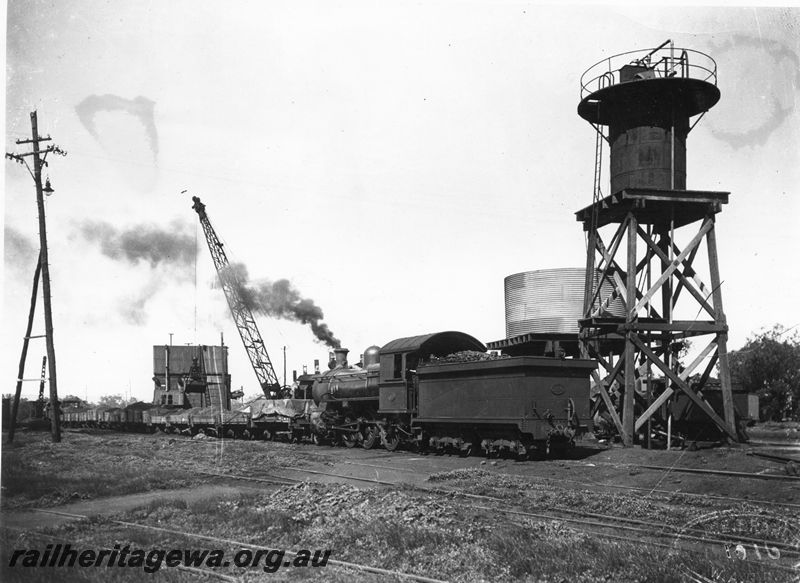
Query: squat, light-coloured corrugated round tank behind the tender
point(549, 301)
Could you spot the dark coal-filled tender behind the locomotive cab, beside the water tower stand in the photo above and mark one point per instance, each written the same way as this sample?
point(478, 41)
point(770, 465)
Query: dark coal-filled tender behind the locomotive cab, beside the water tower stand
point(521, 405)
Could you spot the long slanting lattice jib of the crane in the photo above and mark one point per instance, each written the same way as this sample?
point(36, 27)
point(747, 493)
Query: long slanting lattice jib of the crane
point(242, 315)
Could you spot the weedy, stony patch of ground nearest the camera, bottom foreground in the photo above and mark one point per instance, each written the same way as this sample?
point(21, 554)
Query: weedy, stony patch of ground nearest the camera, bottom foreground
point(372, 528)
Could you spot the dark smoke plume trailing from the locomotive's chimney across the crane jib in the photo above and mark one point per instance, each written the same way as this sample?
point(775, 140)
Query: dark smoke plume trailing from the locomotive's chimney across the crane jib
point(279, 299)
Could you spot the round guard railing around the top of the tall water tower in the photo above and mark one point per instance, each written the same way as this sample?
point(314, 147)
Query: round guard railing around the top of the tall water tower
point(663, 62)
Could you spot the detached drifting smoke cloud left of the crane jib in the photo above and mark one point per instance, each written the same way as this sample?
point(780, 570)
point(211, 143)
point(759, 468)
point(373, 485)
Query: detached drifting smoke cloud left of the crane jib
point(149, 243)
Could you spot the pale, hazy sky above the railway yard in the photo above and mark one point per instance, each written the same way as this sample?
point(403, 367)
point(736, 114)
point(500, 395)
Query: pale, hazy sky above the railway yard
point(393, 161)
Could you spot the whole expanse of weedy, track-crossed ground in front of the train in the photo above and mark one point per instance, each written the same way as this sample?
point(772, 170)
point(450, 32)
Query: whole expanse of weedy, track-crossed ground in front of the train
point(402, 528)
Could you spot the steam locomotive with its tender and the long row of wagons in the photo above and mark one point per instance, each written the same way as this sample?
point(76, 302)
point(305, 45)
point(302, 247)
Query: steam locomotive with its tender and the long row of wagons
point(437, 391)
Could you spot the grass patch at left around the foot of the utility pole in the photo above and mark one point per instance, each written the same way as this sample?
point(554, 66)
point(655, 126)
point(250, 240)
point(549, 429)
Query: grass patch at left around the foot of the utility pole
point(89, 465)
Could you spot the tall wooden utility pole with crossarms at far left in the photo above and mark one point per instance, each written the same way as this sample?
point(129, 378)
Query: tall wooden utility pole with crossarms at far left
point(39, 160)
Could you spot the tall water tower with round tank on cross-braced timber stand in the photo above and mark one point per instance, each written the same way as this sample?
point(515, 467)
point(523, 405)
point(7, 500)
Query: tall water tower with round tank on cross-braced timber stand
point(644, 236)
